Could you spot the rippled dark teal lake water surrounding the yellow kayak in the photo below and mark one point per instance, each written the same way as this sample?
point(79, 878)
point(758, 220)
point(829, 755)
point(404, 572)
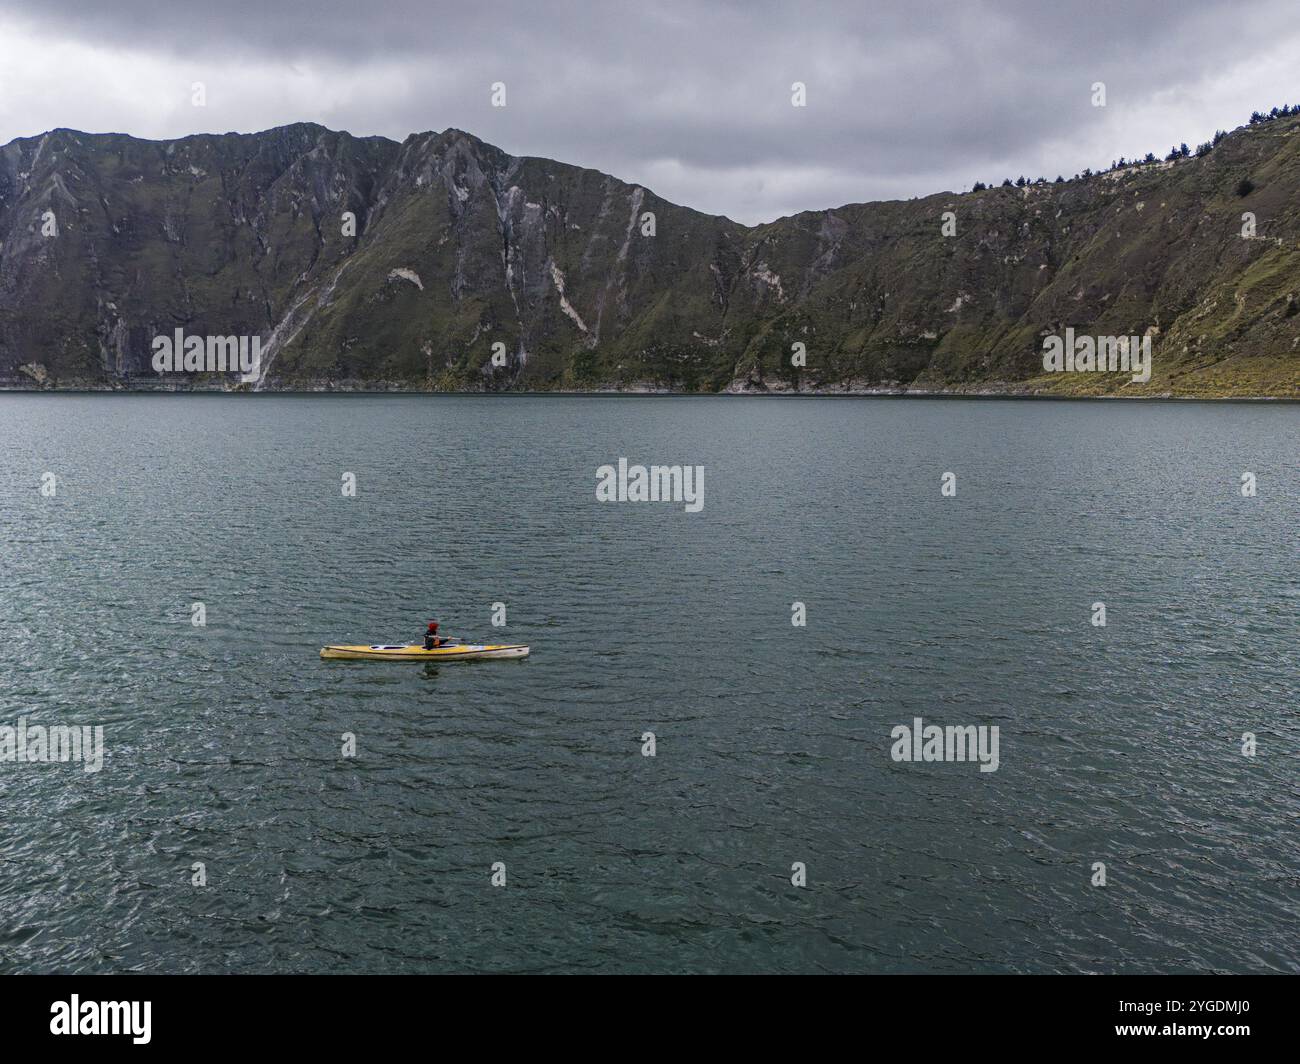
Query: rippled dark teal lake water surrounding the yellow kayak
point(1120, 745)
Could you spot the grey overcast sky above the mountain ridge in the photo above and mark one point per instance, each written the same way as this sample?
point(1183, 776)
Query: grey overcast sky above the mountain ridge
point(690, 100)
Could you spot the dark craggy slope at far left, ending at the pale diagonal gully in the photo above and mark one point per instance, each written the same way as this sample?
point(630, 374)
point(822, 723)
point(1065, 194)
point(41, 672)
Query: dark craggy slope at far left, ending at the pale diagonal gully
point(109, 241)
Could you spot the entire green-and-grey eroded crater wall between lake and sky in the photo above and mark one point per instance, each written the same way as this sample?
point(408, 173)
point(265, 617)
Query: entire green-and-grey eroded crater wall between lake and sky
point(363, 263)
